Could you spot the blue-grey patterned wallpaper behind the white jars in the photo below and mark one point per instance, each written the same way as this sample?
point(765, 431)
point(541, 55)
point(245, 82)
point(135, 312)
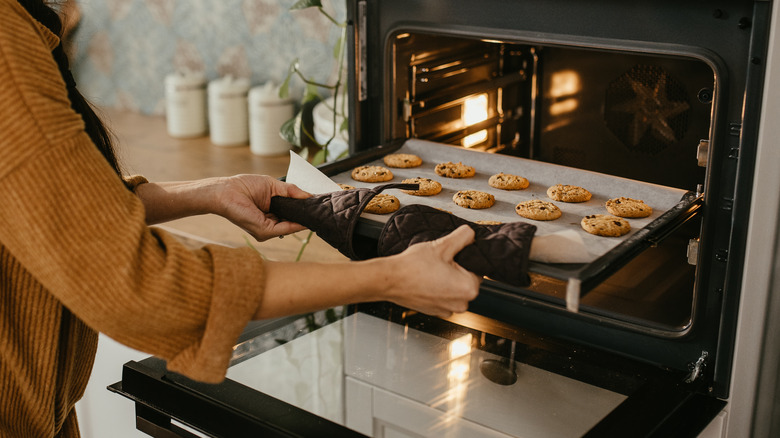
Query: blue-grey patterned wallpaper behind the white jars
point(123, 49)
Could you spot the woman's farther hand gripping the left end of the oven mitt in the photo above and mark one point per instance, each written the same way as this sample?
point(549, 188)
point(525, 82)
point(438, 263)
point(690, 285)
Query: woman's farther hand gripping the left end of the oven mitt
point(245, 200)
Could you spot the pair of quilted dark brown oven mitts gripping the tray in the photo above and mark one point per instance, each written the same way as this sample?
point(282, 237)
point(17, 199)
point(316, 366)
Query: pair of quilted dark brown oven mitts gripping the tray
point(499, 252)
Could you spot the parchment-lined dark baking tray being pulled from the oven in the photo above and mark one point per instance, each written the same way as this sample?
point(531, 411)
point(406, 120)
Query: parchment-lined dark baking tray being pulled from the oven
point(561, 249)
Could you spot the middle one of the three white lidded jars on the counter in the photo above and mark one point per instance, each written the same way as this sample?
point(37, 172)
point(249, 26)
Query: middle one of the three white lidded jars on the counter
point(228, 113)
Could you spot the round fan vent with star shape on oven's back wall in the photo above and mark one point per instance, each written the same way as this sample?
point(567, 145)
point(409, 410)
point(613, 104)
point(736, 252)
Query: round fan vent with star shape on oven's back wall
point(647, 109)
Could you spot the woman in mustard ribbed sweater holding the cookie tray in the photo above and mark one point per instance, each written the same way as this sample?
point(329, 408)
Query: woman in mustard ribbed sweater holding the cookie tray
point(77, 255)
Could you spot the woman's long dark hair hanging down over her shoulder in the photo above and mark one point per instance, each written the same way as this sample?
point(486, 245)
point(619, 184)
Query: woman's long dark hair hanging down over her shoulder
point(100, 135)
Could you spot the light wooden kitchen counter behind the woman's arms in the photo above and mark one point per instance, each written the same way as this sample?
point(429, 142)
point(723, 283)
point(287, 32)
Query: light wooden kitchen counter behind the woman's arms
point(144, 147)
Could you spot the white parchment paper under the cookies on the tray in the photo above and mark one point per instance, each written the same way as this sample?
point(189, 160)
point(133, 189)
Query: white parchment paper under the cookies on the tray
point(560, 241)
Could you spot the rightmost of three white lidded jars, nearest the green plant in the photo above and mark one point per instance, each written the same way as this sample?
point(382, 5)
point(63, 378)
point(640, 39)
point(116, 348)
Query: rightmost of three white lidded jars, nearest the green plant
point(267, 113)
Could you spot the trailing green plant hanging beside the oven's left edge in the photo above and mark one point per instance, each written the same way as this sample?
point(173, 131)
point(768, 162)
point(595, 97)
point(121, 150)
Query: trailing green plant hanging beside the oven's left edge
point(294, 128)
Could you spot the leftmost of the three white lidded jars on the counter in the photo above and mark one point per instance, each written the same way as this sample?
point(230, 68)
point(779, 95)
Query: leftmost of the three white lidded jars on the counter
point(185, 105)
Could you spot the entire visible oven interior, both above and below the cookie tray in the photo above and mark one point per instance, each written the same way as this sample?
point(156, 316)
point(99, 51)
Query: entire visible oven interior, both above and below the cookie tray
point(633, 115)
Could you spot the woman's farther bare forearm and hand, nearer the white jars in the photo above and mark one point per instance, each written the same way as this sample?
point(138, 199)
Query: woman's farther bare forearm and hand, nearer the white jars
point(242, 199)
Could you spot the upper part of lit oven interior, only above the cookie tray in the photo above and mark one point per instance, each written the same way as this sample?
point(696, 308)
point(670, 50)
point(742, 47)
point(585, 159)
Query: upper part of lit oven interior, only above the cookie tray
point(633, 115)
